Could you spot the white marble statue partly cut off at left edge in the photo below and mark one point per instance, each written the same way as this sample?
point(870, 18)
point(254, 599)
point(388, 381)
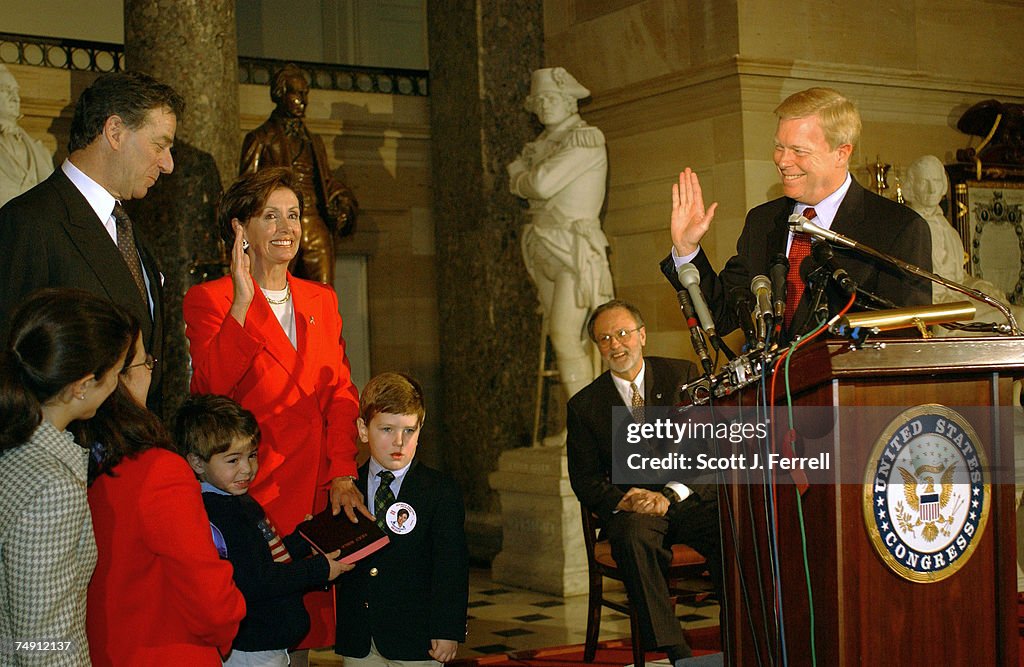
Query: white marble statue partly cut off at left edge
point(24, 160)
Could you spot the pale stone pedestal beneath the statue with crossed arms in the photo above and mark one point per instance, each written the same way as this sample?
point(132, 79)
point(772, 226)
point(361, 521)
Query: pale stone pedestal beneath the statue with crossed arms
point(542, 546)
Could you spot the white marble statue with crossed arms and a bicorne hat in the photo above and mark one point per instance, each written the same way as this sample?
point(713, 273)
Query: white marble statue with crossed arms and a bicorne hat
point(563, 175)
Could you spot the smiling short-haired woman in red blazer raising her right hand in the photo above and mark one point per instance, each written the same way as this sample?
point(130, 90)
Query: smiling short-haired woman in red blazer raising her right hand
point(274, 344)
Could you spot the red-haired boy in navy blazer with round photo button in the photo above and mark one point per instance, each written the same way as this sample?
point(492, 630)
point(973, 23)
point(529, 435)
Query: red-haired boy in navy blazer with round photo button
point(407, 602)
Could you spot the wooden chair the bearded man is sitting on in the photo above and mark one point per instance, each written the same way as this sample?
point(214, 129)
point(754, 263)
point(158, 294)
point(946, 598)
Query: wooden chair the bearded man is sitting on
point(687, 563)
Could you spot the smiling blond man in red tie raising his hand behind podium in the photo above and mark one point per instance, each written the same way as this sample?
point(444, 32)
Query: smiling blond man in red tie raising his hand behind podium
point(816, 138)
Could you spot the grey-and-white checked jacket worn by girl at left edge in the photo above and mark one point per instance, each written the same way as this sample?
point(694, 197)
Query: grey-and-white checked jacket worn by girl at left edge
point(48, 549)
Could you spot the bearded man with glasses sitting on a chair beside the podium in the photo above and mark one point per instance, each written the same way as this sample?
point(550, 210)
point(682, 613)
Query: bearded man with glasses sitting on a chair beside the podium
point(642, 523)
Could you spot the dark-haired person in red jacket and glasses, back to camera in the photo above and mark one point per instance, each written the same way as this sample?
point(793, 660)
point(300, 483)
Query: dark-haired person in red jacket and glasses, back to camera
point(161, 595)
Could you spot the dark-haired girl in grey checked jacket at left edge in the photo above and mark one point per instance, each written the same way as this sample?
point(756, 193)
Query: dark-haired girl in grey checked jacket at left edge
point(62, 362)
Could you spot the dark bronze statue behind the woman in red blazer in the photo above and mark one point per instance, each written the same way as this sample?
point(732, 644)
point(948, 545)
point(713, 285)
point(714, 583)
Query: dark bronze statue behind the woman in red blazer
point(284, 141)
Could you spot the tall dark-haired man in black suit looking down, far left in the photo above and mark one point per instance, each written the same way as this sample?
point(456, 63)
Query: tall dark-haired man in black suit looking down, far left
point(71, 230)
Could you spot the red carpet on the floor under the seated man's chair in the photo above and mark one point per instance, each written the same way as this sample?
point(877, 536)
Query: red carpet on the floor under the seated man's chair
point(615, 653)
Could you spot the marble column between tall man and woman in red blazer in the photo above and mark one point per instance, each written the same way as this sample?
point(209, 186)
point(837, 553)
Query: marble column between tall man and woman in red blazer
point(192, 47)
